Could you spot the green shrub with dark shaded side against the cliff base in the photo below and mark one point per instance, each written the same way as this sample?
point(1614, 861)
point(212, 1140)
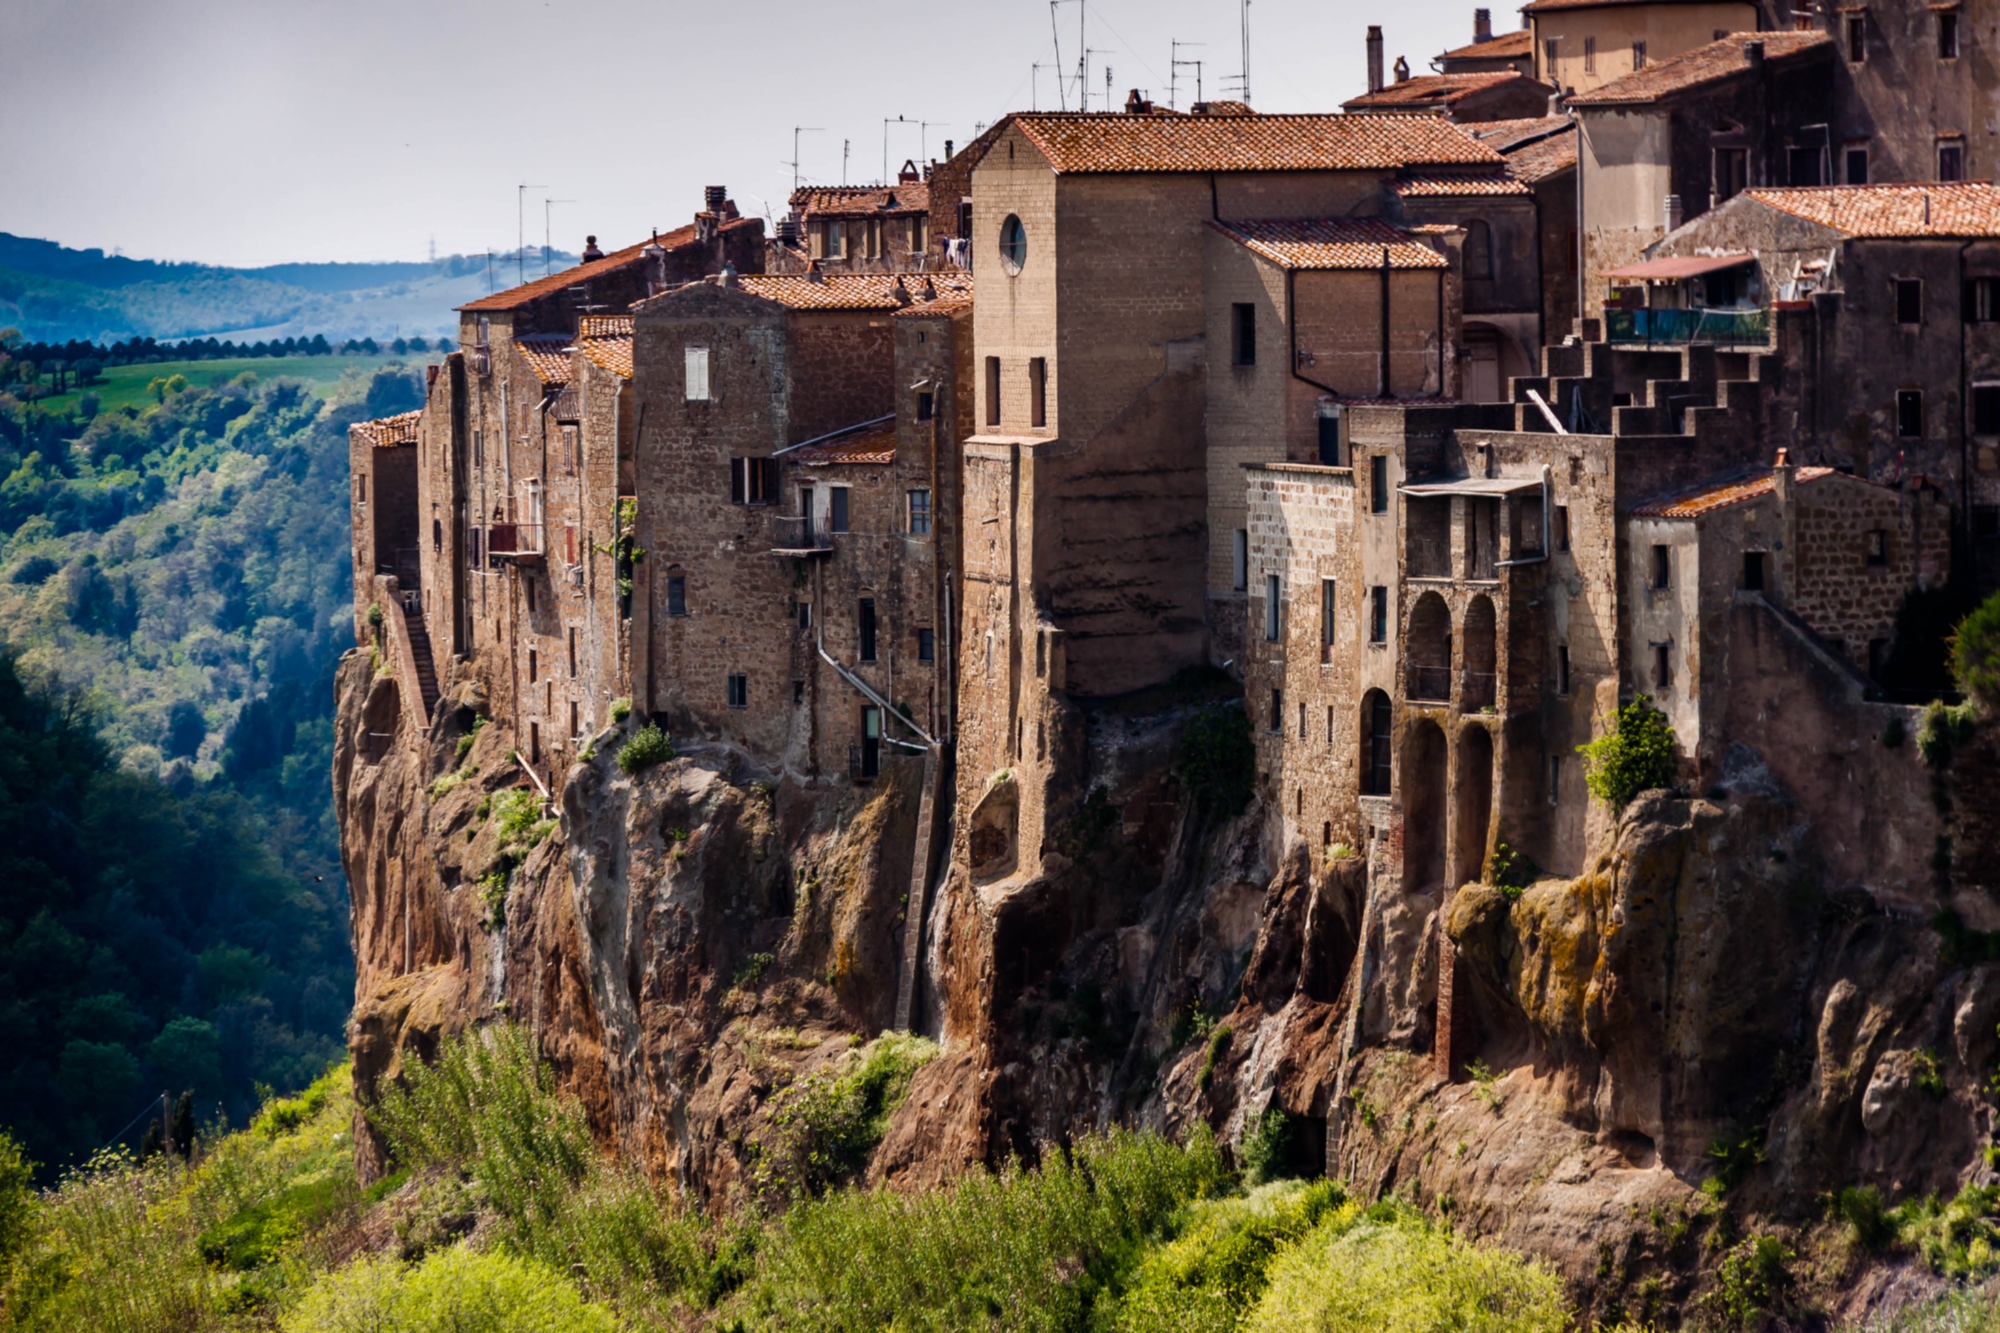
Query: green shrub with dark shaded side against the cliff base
point(825, 1126)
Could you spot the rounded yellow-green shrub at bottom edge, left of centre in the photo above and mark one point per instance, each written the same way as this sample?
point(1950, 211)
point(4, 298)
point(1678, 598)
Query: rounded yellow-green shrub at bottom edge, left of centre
point(453, 1292)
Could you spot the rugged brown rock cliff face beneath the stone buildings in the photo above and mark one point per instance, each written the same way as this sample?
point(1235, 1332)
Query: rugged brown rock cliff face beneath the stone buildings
point(687, 942)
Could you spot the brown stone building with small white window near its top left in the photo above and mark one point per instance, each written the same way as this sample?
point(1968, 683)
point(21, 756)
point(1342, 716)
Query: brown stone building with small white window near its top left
point(791, 463)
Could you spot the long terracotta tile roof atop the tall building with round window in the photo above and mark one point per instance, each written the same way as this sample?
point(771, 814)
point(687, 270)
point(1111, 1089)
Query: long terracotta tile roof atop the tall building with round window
point(1117, 143)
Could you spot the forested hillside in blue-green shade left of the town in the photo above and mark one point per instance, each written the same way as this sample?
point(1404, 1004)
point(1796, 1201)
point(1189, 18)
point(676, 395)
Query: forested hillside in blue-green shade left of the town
point(173, 599)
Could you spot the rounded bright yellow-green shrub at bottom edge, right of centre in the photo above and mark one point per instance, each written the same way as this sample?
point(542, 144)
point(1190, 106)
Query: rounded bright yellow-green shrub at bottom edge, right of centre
point(1391, 1272)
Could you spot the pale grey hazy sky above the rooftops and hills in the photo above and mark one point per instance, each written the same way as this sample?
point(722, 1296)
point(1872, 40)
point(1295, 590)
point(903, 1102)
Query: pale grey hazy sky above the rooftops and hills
point(267, 131)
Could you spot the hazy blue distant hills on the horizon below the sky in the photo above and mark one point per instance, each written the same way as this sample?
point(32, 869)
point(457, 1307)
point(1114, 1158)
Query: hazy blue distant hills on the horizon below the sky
point(55, 295)
